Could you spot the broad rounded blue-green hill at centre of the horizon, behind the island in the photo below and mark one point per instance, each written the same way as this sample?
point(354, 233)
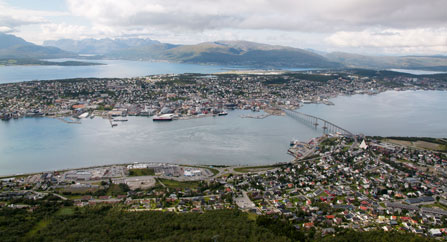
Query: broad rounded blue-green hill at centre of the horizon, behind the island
point(238, 53)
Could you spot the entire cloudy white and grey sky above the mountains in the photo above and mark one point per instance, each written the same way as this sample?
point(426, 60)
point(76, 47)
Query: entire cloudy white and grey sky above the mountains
point(379, 27)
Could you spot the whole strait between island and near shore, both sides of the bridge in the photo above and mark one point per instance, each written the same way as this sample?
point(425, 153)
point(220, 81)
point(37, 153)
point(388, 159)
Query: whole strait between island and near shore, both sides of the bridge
point(41, 144)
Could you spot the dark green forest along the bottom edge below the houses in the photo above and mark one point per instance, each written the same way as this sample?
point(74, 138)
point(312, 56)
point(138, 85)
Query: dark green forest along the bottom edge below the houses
point(56, 220)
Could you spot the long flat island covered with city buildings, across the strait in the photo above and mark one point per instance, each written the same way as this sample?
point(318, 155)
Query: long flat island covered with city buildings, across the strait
point(184, 96)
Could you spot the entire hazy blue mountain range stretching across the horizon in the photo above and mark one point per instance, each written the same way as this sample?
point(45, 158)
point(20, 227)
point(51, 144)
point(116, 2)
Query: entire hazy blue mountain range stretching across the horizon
point(231, 53)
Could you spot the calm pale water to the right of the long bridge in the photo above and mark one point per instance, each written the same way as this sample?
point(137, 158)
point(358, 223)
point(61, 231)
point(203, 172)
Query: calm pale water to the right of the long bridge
point(392, 113)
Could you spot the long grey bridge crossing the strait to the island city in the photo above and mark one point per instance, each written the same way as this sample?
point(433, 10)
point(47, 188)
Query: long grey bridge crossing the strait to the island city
point(328, 127)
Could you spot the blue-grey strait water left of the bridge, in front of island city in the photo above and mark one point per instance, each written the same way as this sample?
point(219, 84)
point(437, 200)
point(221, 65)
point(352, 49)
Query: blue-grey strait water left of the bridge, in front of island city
point(40, 144)
